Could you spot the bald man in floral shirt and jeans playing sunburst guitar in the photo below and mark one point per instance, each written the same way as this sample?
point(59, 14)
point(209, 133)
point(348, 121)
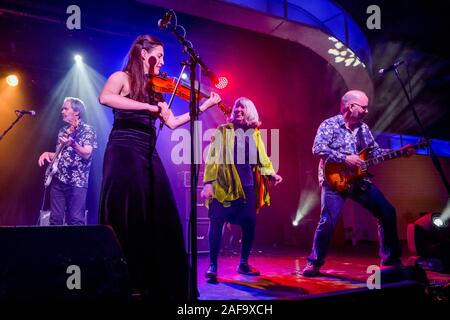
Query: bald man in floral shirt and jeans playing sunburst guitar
point(339, 139)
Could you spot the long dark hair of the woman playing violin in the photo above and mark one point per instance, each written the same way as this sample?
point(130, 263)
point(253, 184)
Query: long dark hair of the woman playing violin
point(135, 67)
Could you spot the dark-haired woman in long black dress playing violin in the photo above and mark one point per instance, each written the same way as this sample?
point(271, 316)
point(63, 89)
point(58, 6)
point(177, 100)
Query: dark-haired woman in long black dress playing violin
point(136, 197)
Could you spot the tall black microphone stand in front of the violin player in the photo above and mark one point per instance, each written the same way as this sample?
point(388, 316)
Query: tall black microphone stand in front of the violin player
point(194, 60)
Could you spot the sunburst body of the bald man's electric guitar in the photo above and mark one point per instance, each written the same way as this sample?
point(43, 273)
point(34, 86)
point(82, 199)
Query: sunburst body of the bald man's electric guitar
point(340, 176)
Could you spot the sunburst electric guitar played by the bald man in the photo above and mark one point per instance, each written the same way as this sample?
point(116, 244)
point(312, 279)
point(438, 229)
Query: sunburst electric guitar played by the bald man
point(340, 176)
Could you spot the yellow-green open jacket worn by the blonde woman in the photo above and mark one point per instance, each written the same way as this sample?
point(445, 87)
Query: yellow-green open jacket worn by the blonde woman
point(221, 171)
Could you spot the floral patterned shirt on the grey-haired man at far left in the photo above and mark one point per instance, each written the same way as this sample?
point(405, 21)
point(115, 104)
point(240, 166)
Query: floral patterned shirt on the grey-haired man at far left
point(72, 168)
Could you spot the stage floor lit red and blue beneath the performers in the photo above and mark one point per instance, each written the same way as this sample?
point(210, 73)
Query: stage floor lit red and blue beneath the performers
point(281, 277)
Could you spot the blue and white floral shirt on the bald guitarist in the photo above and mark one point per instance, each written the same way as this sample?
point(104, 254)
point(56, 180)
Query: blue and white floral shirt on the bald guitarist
point(334, 141)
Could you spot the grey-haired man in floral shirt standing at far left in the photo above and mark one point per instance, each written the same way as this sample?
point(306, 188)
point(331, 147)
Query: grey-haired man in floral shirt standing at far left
point(68, 188)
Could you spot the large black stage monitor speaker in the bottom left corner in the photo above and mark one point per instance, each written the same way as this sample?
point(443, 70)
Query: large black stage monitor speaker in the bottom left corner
point(61, 263)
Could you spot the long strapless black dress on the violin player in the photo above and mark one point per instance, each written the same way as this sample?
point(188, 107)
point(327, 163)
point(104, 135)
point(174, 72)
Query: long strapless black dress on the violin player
point(137, 201)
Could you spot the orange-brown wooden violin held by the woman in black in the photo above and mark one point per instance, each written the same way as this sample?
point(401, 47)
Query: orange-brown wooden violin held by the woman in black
point(164, 84)
